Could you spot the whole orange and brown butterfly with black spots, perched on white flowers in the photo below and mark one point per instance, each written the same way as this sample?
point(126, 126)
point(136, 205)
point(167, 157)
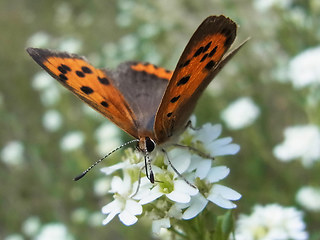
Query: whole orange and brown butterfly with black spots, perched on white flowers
point(150, 103)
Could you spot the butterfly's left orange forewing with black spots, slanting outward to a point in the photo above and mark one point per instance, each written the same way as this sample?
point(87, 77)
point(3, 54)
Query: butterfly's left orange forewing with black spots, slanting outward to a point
point(92, 85)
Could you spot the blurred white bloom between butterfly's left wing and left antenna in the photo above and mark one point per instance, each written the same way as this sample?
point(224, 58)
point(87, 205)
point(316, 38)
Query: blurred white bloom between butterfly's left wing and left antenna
point(108, 138)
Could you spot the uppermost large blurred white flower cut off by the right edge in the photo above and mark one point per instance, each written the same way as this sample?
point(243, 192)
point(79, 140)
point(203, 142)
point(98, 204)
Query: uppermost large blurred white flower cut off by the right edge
point(304, 68)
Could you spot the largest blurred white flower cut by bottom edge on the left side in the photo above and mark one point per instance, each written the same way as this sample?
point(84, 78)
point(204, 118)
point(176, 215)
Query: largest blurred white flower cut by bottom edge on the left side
point(53, 231)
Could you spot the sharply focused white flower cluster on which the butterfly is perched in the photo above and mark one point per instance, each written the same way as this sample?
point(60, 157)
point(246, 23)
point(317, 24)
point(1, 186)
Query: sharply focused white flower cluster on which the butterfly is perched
point(171, 197)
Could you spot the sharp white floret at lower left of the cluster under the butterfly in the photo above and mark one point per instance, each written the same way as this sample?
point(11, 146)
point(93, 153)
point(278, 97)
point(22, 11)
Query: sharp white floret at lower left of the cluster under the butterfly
point(122, 205)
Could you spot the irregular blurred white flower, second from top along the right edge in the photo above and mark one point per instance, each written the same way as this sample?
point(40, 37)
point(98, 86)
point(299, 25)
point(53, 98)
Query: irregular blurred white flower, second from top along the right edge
point(300, 142)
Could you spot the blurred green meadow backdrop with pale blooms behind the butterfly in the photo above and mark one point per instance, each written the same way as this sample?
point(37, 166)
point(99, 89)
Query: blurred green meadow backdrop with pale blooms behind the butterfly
point(48, 136)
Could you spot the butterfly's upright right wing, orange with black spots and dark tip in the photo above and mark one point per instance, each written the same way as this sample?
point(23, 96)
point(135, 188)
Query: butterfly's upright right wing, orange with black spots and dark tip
point(199, 60)
